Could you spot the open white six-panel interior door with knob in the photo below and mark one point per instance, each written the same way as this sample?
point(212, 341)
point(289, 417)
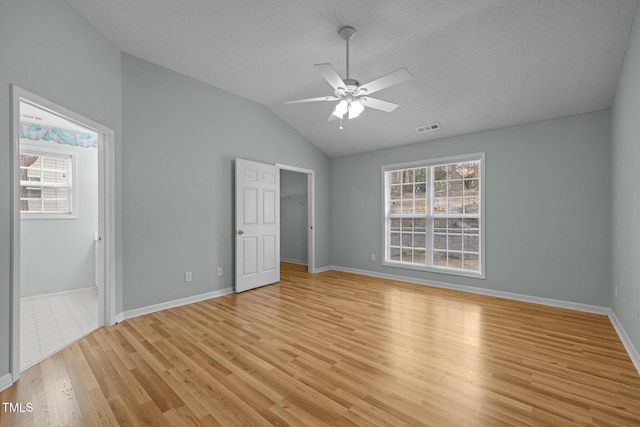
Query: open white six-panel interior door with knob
point(257, 224)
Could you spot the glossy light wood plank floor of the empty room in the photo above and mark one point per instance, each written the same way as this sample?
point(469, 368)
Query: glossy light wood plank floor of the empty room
point(339, 349)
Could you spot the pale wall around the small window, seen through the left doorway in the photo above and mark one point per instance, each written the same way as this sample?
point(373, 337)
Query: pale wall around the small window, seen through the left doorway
point(58, 255)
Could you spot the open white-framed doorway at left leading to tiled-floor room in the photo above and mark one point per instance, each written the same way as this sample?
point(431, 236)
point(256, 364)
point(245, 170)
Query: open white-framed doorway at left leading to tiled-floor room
point(62, 267)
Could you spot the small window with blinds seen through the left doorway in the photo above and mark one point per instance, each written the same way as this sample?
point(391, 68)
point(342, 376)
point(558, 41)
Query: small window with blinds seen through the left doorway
point(46, 184)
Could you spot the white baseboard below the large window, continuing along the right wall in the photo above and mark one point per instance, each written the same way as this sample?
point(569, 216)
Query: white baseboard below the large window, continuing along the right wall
point(626, 341)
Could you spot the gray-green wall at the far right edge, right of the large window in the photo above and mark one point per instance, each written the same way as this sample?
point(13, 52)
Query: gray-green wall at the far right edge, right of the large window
point(625, 194)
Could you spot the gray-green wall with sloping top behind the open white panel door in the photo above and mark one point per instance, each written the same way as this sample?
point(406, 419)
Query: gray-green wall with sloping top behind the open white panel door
point(180, 141)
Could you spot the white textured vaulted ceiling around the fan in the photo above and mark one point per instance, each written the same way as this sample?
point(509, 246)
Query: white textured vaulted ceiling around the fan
point(476, 65)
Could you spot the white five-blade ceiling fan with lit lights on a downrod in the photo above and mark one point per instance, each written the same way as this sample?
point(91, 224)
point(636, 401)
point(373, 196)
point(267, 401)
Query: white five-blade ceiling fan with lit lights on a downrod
point(352, 96)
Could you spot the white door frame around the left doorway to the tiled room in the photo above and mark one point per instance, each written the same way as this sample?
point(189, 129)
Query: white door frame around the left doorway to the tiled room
point(105, 270)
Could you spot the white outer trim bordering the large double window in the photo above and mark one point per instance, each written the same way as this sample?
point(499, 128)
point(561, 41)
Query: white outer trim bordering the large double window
point(385, 209)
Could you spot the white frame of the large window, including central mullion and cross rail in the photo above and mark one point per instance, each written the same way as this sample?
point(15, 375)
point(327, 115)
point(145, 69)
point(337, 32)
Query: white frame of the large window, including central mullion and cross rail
point(429, 215)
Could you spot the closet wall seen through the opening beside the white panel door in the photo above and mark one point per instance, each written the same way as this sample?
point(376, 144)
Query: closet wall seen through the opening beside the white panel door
point(293, 217)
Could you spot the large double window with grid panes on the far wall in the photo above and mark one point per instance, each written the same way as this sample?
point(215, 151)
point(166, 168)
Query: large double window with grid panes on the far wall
point(433, 215)
